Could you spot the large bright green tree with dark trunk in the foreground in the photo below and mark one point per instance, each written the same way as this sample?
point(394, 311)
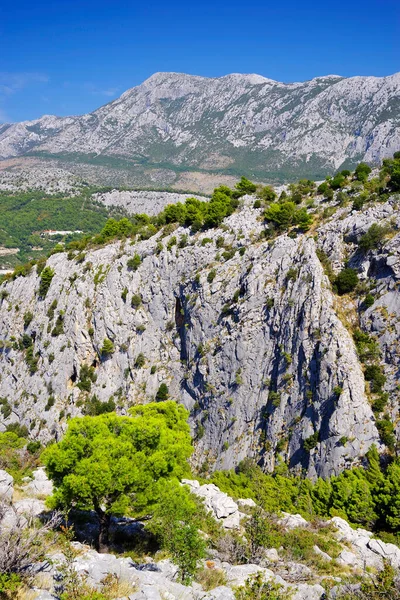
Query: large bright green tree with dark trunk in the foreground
point(110, 463)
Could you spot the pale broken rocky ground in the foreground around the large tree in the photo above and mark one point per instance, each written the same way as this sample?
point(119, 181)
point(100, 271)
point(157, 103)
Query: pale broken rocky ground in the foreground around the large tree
point(155, 579)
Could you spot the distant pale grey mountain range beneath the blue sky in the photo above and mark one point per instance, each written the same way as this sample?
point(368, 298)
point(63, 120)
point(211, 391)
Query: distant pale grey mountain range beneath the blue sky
point(177, 130)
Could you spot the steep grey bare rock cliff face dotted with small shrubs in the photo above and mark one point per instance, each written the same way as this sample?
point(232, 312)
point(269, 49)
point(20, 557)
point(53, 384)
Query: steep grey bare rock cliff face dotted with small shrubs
point(248, 336)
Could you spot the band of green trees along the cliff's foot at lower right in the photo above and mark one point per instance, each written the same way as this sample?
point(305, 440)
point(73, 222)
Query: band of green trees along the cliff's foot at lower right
point(368, 497)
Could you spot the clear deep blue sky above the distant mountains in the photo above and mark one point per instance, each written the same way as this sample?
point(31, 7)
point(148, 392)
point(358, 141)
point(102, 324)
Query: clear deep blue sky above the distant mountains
point(71, 56)
